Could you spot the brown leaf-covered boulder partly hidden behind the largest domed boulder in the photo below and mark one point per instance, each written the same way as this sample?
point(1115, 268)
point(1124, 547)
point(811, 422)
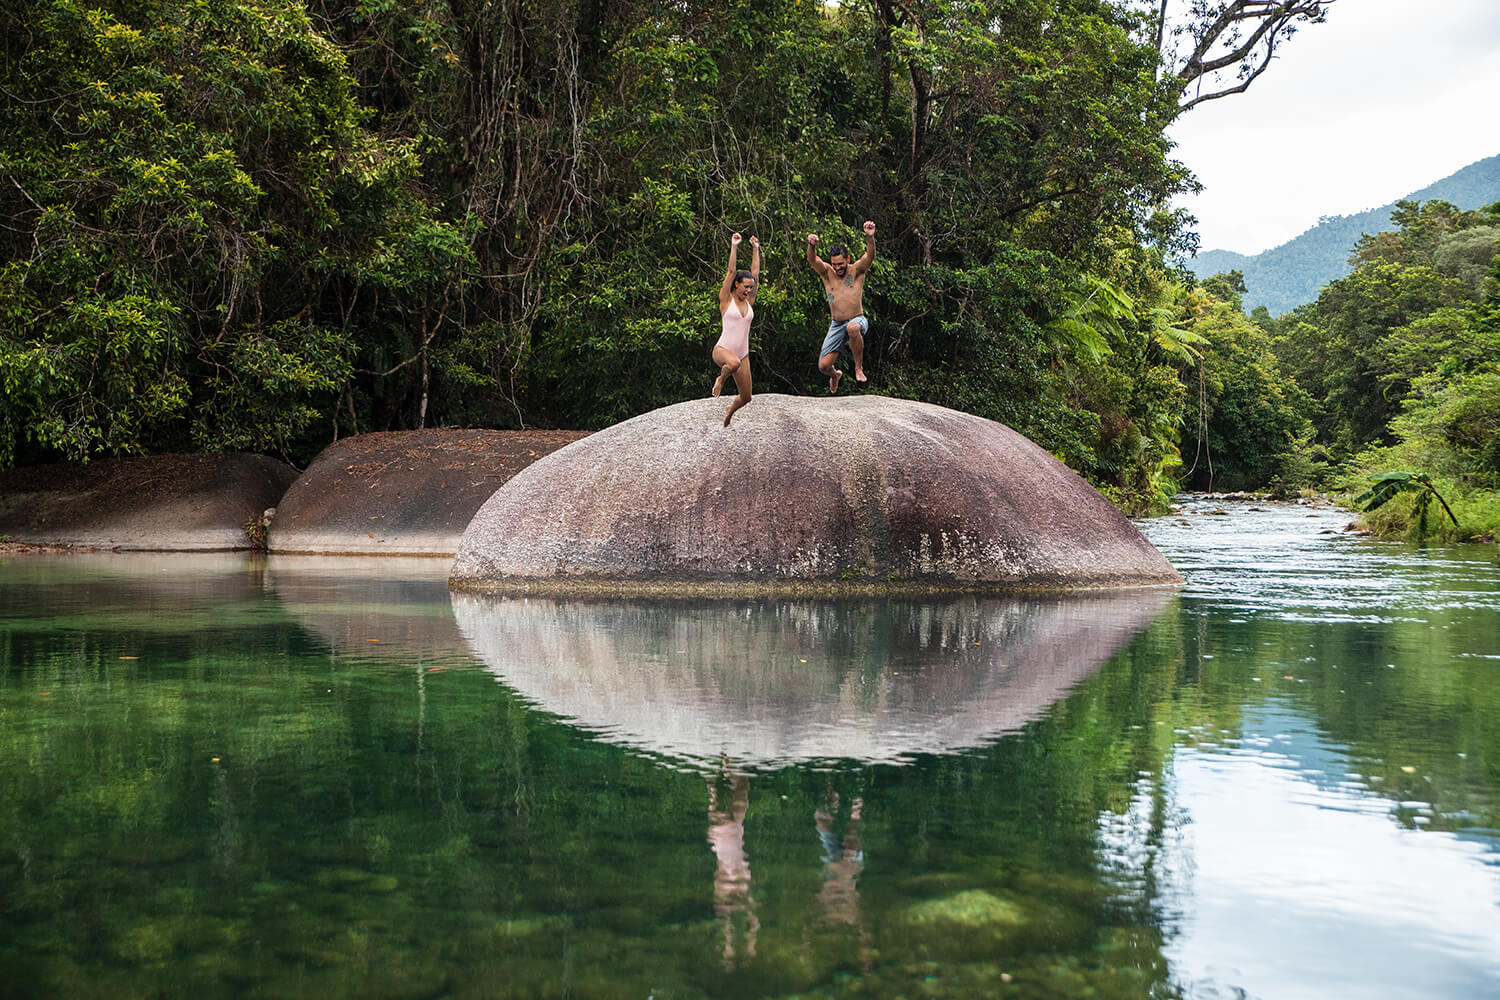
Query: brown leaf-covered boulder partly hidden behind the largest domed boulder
point(403, 493)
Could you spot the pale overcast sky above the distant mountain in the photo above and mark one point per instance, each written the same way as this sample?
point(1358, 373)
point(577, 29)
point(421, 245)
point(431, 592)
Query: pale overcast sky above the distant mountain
point(1384, 98)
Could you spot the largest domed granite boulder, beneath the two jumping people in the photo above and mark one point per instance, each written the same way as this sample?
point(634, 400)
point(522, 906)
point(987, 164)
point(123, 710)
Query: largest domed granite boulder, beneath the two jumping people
point(856, 494)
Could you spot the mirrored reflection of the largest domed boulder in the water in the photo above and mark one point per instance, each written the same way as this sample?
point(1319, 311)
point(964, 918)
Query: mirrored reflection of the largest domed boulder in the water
point(775, 683)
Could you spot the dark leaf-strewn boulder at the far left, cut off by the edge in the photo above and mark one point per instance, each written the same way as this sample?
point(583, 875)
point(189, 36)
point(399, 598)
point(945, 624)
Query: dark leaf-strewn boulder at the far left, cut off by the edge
point(163, 503)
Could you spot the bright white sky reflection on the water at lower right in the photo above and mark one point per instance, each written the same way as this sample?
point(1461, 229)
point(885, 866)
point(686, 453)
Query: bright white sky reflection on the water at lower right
point(1279, 875)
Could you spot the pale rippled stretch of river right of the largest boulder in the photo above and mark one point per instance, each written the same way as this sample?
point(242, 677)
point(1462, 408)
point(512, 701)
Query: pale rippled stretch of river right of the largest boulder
point(1295, 563)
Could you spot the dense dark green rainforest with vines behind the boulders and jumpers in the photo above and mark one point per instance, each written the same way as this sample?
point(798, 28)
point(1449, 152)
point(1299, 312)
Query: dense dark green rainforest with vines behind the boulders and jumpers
point(265, 224)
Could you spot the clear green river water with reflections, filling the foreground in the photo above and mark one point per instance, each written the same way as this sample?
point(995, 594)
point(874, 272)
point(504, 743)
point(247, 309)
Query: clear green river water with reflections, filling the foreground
point(226, 777)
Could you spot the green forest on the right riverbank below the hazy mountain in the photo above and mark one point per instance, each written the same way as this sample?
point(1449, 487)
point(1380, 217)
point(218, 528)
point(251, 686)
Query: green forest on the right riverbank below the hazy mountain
point(1394, 373)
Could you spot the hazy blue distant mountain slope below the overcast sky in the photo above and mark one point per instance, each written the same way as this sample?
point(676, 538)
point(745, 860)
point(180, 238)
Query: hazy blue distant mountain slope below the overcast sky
point(1292, 274)
